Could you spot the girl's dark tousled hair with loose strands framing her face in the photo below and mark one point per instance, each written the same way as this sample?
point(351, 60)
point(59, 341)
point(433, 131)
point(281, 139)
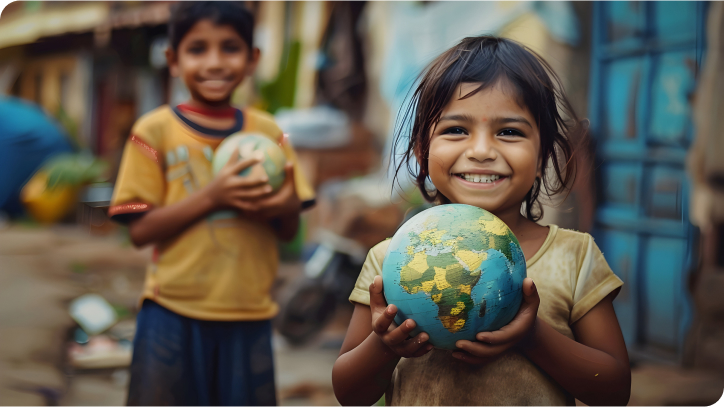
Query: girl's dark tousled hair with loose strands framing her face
point(490, 60)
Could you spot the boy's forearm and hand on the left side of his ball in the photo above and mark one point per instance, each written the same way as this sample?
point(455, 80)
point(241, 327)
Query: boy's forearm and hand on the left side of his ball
point(227, 190)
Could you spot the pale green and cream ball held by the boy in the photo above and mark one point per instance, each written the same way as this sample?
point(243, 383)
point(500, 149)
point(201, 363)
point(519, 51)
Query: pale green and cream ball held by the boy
point(249, 144)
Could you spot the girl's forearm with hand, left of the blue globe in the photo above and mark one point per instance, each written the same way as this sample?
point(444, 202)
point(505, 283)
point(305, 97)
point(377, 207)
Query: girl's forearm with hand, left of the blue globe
point(371, 350)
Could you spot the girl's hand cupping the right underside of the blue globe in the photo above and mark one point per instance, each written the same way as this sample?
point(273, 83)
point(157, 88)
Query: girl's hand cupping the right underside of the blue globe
point(515, 333)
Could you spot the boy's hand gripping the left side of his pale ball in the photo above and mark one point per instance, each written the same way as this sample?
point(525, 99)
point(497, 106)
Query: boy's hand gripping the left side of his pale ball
point(229, 190)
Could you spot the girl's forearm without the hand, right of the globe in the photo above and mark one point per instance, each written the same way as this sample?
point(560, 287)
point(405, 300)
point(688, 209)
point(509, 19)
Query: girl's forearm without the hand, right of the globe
point(590, 375)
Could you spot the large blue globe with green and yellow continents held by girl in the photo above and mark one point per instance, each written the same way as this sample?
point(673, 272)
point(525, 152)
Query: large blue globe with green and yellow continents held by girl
point(456, 270)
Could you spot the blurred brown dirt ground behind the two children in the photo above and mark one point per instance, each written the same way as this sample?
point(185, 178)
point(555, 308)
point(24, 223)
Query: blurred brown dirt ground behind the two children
point(43, 269)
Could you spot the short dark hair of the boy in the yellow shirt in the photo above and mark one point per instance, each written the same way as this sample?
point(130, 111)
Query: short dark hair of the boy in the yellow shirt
point(185, 14)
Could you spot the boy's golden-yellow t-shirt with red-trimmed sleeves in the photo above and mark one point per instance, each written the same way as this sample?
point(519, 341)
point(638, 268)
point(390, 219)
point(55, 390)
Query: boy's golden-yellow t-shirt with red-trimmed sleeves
point(217, 269)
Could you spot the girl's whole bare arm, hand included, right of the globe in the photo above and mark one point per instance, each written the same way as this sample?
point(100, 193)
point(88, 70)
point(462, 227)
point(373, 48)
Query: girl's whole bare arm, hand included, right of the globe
point(594, 368)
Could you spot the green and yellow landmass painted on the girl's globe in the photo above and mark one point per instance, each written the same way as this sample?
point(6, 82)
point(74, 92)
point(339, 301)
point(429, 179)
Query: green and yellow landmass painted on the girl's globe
point(448, 267)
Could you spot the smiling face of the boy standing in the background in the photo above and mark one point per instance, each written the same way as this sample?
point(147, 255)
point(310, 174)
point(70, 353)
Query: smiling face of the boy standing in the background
point(212, 60)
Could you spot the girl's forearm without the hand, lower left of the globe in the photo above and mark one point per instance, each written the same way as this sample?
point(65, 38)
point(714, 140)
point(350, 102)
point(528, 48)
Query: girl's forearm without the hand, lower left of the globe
point(361, 376)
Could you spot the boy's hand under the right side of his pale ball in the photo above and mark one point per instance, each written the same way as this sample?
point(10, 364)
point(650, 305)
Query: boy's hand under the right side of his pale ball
point(283, 202)
